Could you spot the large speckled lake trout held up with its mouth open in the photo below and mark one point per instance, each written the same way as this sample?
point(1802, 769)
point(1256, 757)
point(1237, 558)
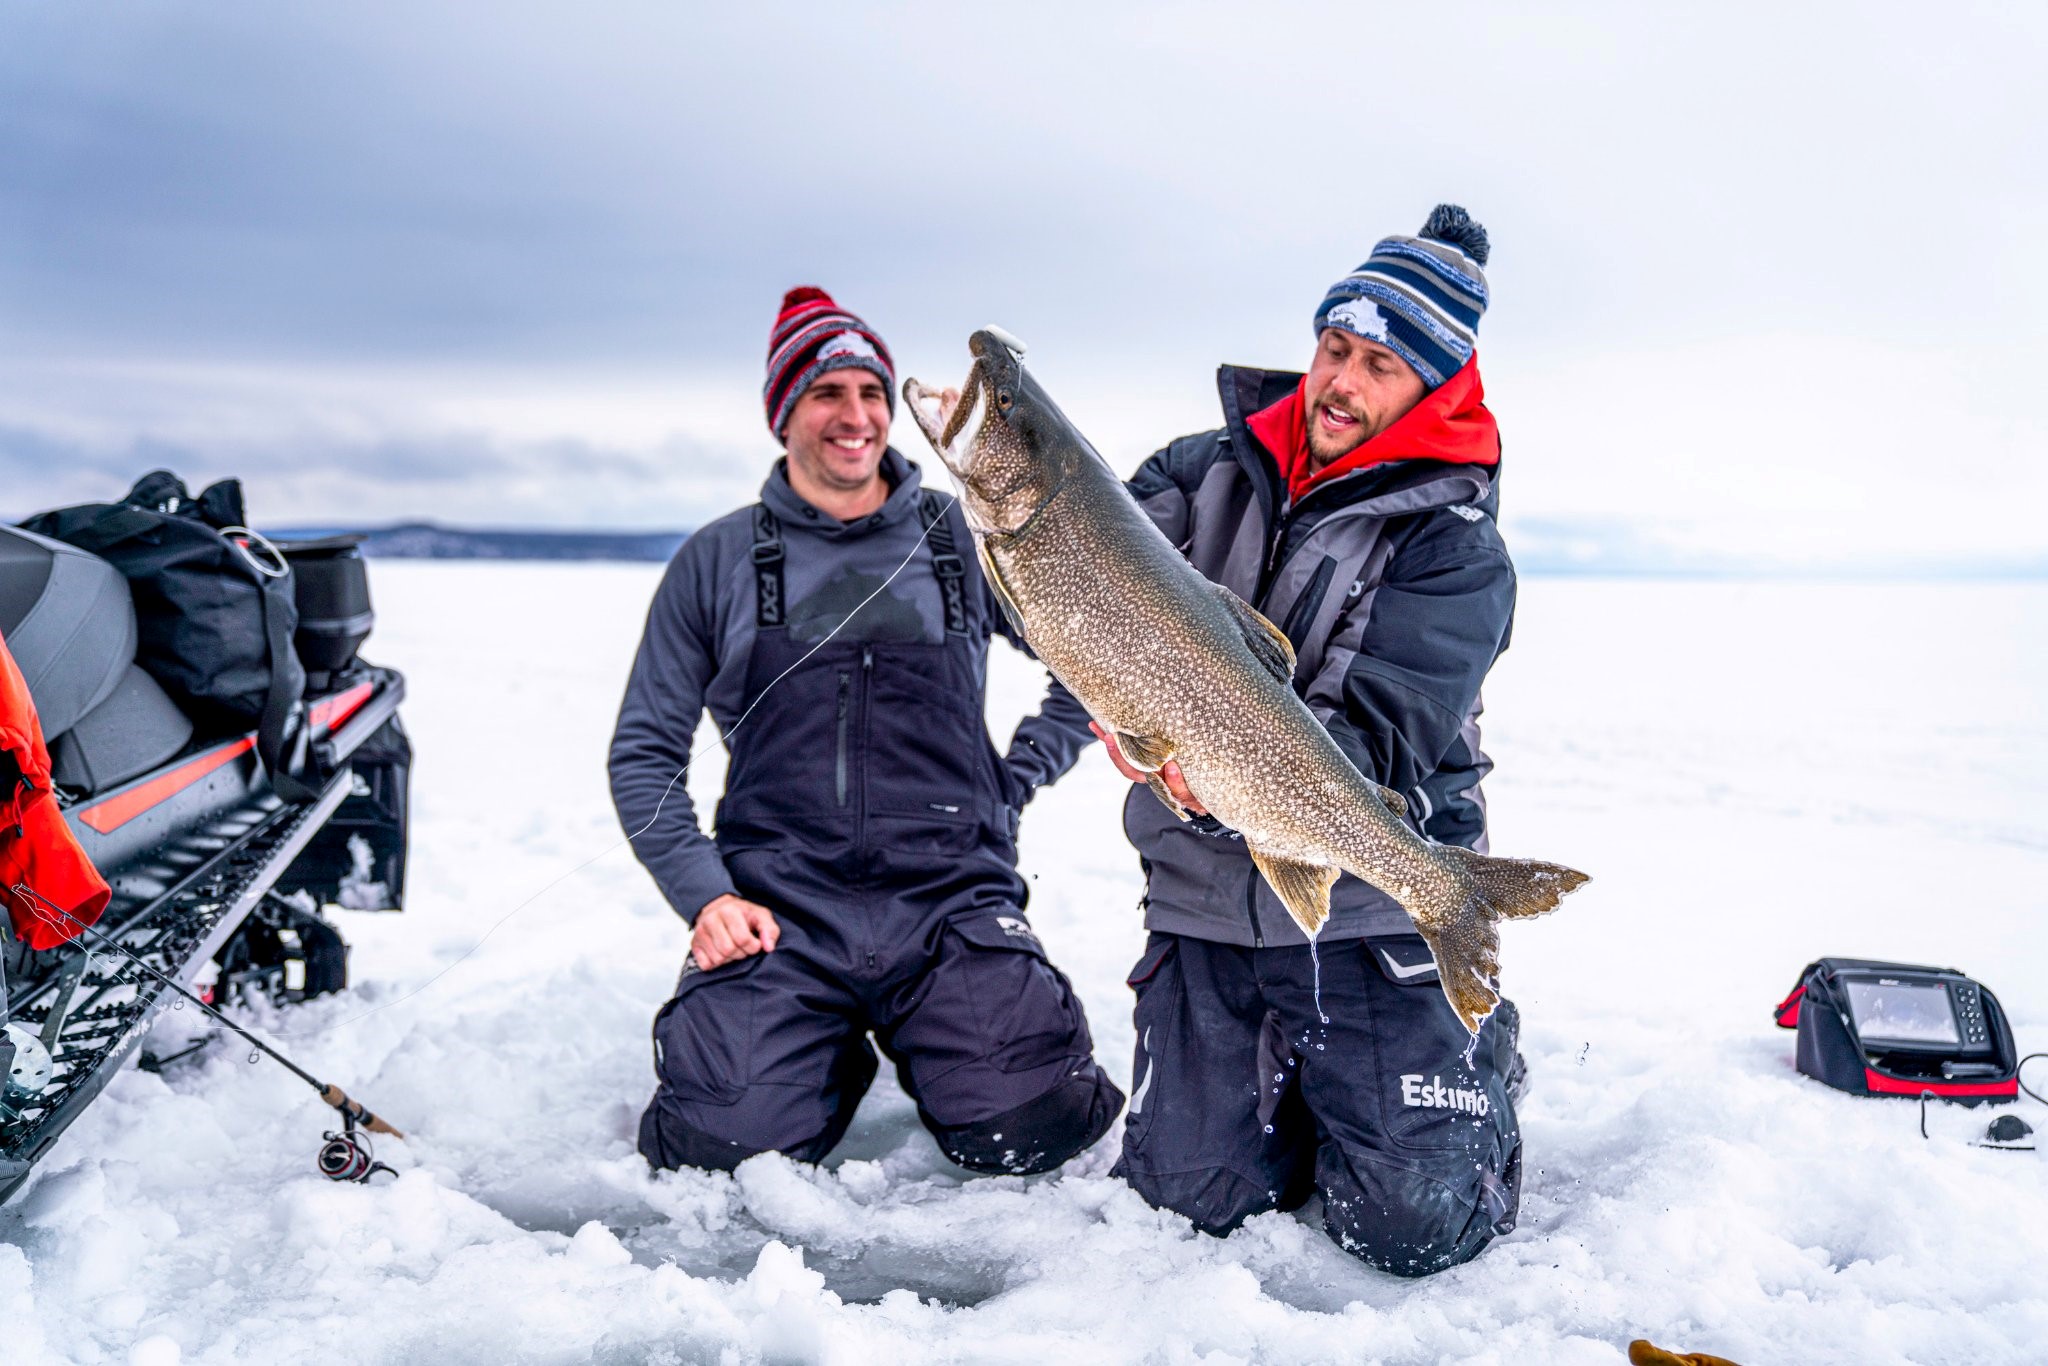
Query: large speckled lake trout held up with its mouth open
point(1183, 669)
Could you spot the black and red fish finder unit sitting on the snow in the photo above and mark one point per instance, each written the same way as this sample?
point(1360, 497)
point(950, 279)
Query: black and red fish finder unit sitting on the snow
point(1895, 1029)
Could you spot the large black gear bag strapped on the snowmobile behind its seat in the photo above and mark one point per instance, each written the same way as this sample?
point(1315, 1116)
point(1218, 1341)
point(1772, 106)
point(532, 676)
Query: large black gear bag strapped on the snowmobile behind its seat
point(214, 611)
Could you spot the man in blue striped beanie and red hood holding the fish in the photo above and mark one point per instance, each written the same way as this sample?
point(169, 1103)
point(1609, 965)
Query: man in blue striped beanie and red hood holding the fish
point(1355, 509)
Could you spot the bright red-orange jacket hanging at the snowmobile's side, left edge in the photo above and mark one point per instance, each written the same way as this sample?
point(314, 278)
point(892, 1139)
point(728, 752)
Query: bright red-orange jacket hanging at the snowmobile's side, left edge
point(38, 851)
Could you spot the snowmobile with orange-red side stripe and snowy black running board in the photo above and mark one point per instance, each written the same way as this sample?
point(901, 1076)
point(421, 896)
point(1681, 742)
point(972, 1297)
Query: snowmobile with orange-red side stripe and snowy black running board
point(210, 861)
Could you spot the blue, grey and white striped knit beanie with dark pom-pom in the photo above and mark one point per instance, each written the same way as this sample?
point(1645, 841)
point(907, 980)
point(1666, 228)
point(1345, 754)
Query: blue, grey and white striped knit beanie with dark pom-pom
point(1420, 298)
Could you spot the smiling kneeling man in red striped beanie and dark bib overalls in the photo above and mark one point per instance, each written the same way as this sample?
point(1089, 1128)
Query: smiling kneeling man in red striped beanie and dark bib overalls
point(863, 878)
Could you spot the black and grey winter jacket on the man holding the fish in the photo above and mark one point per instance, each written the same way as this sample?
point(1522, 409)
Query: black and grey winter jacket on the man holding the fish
point(1398, 593)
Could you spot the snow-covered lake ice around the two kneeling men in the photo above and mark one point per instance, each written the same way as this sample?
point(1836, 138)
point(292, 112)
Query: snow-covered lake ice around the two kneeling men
point(1754, 773)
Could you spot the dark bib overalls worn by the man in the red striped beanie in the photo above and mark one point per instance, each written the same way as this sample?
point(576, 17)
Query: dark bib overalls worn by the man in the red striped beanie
point(867, 810)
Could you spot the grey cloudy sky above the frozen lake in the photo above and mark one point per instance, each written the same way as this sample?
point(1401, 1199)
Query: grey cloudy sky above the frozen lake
point(1766, 280)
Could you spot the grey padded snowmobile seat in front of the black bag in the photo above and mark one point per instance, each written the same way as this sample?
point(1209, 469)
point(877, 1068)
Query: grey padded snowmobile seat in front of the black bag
point(71, 624)
